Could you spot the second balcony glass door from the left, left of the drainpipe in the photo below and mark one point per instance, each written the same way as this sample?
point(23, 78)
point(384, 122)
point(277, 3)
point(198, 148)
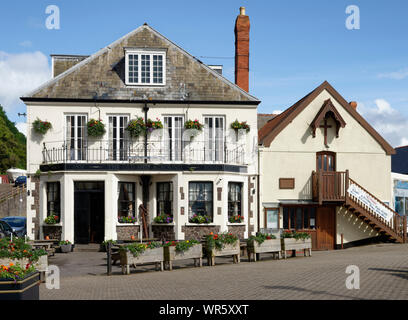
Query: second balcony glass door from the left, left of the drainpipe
point(118, 144)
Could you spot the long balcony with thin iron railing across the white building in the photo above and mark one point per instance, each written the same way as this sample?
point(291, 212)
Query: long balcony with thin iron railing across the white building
point(152, 152)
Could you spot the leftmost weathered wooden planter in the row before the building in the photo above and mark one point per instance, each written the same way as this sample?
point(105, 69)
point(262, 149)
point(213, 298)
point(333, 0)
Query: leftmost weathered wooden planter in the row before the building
point(148, 256)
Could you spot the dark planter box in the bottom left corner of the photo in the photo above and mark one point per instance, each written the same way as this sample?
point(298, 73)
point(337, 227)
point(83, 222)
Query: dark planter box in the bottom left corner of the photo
point(26, 289)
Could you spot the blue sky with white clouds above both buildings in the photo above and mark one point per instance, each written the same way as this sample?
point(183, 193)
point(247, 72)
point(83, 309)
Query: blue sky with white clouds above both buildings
point(295, 45)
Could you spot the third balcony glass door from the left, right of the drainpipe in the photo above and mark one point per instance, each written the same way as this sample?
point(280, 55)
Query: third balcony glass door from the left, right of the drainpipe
point(174, 126)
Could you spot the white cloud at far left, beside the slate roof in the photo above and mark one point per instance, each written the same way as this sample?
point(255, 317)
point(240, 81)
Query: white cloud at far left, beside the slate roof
point(19, 74)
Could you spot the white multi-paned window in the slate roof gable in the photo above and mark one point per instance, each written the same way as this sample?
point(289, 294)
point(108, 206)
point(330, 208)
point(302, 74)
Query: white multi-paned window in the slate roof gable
point(147, 68)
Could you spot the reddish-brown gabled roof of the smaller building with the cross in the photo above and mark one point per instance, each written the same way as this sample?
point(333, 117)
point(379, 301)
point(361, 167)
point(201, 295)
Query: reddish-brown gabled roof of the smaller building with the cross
point(268, 133)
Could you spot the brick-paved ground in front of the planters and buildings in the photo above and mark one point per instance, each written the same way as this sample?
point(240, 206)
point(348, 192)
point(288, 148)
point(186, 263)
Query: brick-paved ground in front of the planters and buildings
point(383, 275)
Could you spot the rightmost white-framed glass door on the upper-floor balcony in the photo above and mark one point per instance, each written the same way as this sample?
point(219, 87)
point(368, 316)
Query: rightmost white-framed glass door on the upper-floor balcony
point(214, 138)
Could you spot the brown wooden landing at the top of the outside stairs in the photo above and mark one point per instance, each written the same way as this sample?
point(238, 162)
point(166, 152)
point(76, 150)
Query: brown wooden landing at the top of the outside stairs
point(329, 186)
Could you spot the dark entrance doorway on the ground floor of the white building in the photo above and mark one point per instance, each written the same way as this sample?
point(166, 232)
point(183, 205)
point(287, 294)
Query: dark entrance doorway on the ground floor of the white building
point(89, 212)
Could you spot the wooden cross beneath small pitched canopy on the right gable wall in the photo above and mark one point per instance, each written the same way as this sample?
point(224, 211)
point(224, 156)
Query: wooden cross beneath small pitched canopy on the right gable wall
point(327, 111)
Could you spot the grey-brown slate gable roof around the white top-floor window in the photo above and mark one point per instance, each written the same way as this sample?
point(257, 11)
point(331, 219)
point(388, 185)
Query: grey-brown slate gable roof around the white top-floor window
point(102, 76)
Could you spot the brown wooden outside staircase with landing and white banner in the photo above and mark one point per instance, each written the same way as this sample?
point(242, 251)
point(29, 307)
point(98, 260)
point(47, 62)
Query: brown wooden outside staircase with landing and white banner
point(334, 187)
